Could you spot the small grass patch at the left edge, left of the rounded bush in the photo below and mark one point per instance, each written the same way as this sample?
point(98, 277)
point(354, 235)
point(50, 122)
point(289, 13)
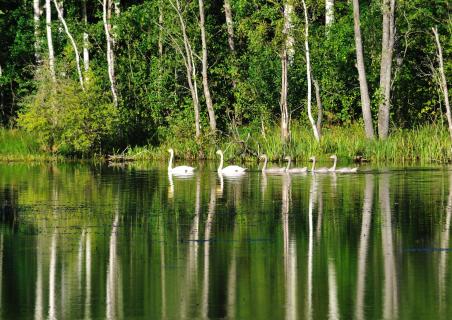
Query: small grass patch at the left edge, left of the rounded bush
point(17, 145)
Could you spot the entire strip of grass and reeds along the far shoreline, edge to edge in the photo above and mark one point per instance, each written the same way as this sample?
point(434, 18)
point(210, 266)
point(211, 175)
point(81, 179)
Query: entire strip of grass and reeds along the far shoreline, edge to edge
point(427, 144)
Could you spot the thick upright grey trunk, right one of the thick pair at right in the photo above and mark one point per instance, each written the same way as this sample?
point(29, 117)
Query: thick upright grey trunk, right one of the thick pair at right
point(386, 67)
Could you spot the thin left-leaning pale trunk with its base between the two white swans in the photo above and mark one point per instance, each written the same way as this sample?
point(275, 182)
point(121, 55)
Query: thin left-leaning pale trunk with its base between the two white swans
point(190, 66)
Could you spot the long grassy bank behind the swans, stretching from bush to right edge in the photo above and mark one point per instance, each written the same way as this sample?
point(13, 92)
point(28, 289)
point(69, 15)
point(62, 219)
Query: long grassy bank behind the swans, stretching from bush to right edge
point(426, 144)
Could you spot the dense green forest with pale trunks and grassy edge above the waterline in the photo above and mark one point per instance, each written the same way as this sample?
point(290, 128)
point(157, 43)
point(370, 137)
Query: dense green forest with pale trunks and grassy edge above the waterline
point(359, 78)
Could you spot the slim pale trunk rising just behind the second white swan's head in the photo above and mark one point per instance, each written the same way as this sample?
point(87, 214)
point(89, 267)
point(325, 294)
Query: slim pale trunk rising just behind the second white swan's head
point(205, 80)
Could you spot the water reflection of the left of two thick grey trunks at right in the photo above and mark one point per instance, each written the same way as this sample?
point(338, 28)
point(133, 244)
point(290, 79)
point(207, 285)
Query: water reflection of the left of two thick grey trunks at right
point(363, 247)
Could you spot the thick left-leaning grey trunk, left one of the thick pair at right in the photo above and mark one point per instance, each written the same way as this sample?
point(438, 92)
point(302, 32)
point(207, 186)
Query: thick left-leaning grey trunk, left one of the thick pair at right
point(365, 99)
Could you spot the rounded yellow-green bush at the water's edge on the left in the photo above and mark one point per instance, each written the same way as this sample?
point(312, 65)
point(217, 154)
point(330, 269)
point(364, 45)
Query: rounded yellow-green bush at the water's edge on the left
point(66, 119)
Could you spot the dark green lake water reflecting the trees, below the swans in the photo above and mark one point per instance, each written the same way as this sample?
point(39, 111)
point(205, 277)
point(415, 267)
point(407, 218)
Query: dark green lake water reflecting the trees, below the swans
point(91, 242)
